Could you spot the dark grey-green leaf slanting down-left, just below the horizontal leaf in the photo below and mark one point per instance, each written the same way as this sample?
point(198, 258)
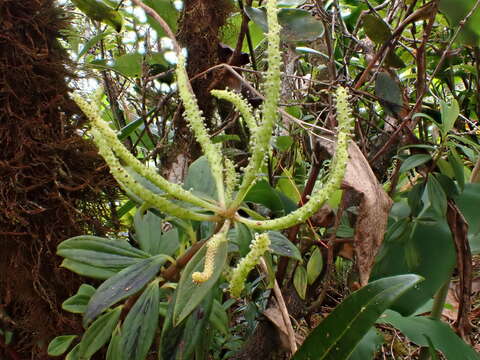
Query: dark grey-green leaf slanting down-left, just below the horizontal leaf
point(127, 282)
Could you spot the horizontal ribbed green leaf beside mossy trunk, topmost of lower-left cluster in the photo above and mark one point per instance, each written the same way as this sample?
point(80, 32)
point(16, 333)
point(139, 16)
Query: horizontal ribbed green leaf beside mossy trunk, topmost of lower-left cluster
point(100, 252)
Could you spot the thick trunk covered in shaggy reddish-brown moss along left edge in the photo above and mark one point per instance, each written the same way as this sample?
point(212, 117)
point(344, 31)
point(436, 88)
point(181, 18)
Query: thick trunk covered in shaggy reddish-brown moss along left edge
point(53, 184)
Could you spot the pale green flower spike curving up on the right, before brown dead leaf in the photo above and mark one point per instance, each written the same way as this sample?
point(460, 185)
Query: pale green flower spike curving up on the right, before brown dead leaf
point(335, 177)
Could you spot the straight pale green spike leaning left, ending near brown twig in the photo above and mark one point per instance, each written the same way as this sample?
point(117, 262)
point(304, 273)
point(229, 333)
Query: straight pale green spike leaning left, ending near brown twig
point(196, 121)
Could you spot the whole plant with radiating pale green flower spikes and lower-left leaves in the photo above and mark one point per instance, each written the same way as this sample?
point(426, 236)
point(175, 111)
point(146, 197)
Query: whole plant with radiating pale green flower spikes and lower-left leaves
point(129, 271)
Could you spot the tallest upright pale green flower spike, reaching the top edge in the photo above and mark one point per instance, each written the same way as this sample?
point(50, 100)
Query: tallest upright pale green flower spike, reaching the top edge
point(271, 87)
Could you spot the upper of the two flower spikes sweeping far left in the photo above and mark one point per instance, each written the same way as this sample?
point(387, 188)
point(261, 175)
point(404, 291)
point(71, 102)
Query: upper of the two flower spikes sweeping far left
point(92, 113)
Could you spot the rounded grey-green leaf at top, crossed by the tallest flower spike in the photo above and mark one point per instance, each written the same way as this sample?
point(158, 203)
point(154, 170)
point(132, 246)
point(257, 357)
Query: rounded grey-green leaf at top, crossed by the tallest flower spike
point(297, 24)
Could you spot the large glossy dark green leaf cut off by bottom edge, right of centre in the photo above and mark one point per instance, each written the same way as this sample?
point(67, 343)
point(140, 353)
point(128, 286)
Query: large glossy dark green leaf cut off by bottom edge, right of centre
point(337, 336)
